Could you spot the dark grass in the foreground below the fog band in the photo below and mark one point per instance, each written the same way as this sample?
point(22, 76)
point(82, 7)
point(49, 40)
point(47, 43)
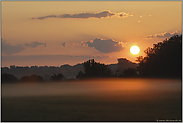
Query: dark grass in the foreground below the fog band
point(85, 108)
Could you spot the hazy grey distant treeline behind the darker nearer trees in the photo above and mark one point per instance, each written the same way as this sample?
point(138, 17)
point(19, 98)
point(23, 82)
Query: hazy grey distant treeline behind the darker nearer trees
point(68, 71)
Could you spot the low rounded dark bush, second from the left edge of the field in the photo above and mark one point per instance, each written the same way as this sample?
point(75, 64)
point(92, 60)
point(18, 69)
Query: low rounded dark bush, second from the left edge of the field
point(32, 78)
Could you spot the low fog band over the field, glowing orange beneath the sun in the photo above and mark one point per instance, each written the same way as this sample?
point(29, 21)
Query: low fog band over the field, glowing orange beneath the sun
point(108, 88)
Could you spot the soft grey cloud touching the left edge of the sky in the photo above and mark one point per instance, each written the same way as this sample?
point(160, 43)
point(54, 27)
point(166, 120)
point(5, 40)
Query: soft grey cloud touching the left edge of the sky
point(9, 49)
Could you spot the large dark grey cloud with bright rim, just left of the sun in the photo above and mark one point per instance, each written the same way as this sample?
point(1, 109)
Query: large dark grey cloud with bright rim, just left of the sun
point(105, 46)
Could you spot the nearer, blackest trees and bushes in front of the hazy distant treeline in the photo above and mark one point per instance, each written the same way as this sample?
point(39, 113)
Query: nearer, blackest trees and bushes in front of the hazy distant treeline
point(164, 59)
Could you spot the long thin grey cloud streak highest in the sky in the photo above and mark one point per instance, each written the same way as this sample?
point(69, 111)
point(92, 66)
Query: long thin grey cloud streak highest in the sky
point(83, 15)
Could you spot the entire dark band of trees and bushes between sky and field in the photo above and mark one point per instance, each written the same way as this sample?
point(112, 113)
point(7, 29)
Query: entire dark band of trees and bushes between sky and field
point(163, 60)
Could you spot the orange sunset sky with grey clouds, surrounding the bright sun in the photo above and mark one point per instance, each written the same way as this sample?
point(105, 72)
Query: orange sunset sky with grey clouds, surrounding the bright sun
point(71, 32)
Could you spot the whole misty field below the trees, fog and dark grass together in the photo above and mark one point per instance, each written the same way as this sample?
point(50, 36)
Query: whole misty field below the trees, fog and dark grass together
point(93, 100)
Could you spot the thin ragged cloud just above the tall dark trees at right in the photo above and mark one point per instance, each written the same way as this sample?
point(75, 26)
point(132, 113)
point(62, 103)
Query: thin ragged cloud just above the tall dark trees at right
point(162, 35)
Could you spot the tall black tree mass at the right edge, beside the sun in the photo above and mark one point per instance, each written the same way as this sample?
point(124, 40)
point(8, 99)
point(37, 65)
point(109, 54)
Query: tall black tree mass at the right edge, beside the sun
point(163, 60)
